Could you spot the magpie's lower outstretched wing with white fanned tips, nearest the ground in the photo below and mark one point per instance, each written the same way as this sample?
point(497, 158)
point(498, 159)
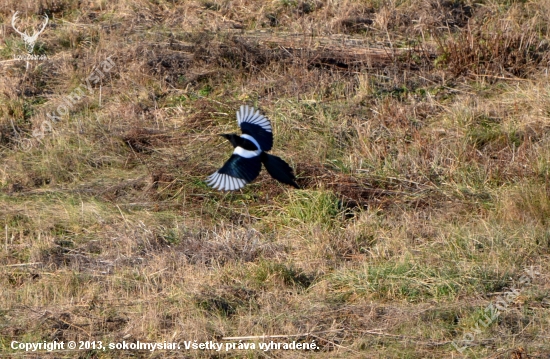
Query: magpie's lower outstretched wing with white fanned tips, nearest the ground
point(235, 173)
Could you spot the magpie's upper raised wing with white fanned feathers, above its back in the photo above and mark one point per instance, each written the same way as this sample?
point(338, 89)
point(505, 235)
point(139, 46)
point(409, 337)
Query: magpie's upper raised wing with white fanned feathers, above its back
point(256, 125)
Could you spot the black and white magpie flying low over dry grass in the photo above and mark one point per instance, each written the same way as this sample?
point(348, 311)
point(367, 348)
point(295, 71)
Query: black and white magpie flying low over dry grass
point(250, 152)
